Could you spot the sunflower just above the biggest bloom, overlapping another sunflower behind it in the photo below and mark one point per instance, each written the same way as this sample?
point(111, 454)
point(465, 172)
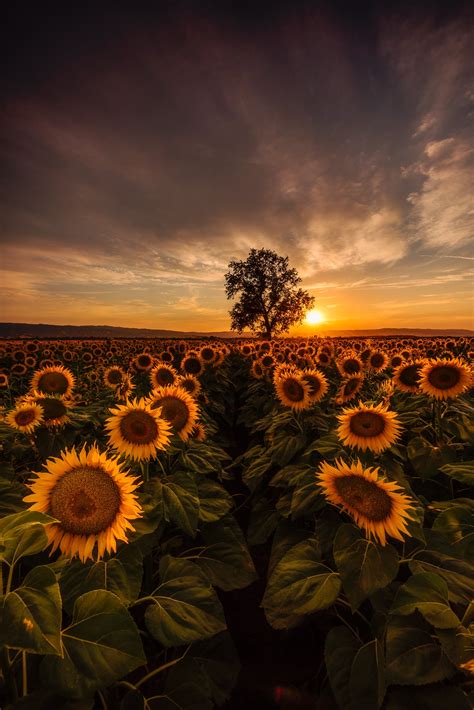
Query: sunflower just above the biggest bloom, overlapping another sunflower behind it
point(137, 430)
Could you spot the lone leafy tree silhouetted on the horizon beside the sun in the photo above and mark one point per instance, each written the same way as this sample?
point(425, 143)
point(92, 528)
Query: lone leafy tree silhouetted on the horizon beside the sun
point(270, 301)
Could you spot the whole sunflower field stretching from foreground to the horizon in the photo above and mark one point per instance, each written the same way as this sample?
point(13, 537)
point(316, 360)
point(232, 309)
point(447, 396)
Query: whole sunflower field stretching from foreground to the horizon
point(190, 524)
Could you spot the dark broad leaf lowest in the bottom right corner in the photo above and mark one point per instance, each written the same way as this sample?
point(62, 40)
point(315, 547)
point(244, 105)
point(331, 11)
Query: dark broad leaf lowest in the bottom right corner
point(413, 657)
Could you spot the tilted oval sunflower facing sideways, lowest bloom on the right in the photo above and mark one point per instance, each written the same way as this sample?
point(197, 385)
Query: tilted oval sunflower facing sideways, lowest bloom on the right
point(379, 507)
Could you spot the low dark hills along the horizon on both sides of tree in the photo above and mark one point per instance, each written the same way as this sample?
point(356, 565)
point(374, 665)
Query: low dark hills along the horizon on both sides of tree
point(42, 330)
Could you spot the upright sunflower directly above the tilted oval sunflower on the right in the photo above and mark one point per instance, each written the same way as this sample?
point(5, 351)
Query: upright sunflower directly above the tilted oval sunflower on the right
point(368, 427)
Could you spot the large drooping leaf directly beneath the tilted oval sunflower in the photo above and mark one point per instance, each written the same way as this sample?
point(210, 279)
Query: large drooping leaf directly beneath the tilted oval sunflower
point(364, 565)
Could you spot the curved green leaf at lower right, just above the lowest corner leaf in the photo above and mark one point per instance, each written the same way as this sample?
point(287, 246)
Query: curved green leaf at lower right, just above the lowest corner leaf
point(428, 593)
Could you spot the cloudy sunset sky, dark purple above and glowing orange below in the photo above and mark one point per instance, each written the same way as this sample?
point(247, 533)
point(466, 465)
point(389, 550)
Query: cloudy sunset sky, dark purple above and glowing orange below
point(144, 149)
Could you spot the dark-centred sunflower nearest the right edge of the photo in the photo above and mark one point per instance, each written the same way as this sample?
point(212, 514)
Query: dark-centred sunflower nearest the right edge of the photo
point(445, 378)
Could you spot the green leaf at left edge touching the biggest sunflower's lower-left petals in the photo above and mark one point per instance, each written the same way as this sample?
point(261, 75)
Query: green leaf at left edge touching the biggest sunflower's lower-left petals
point(23, 534)
